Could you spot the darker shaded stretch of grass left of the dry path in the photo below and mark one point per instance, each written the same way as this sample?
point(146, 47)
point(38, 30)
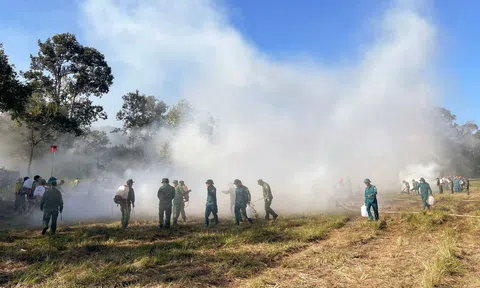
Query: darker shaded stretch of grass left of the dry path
point(102, 255)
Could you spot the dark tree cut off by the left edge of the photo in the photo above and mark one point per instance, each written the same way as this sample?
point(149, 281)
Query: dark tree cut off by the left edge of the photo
point(13, 93)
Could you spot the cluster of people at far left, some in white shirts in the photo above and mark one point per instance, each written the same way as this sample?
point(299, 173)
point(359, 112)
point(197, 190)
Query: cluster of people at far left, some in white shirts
point(39, 193)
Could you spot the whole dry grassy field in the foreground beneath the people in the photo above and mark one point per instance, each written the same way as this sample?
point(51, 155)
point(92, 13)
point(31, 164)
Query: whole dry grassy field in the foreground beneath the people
point(408, 248)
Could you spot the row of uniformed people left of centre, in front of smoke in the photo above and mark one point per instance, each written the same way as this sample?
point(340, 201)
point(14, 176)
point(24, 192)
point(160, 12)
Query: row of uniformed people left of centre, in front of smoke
point(173, 198)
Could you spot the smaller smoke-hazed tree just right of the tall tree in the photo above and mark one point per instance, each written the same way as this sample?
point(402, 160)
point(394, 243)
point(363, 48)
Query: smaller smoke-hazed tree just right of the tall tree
point(141, 115)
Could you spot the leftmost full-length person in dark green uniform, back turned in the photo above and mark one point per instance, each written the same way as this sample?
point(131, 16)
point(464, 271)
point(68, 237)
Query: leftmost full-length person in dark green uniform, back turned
point(51, 204)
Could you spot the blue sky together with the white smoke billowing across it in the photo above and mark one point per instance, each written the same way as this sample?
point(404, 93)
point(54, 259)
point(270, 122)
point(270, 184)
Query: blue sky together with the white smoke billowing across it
point(303, 93)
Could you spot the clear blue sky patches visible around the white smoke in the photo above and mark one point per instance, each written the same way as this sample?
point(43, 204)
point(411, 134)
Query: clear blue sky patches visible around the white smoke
point(328, 31)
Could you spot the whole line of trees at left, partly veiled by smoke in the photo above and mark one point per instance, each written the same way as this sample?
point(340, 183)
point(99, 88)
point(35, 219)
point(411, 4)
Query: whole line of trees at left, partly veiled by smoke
point(52, 102)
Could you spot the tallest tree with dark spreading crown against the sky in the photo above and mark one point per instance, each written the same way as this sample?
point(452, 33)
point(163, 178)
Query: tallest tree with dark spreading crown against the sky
point(67, 74)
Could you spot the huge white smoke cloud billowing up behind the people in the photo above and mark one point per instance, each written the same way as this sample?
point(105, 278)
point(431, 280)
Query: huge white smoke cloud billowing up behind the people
point(294, 123)
